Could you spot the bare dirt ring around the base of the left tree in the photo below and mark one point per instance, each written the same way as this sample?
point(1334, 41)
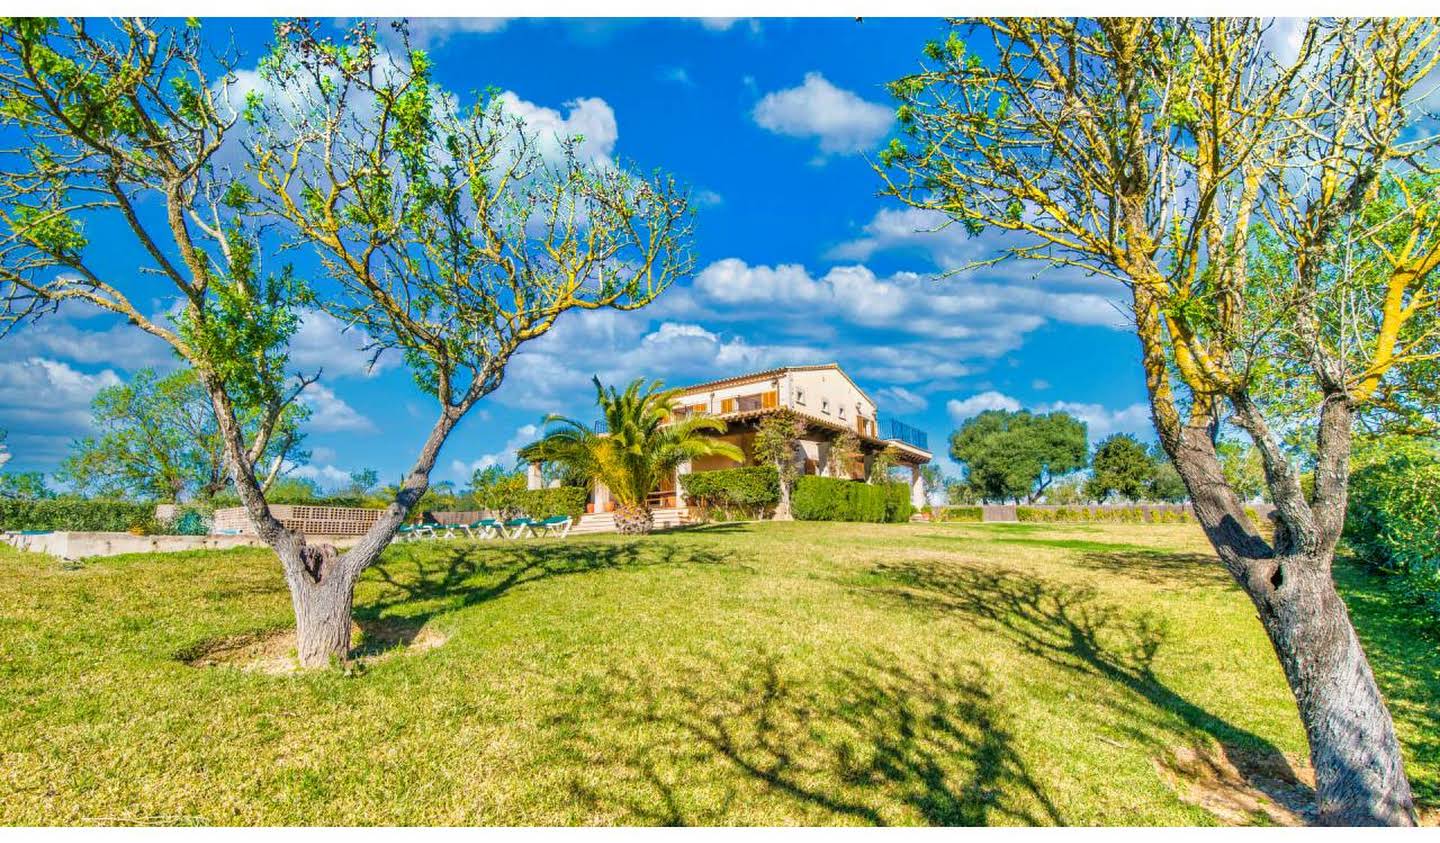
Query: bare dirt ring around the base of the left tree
point(274, 652)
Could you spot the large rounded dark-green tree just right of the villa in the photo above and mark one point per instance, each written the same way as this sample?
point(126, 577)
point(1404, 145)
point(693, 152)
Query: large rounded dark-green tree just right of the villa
point(1016, 455)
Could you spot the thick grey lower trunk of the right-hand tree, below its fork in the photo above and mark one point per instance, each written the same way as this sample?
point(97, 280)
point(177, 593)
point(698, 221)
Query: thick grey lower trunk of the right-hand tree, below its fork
point(1359, 766)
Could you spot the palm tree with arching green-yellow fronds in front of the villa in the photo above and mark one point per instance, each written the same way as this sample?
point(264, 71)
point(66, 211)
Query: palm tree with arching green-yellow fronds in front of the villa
point(640, 445)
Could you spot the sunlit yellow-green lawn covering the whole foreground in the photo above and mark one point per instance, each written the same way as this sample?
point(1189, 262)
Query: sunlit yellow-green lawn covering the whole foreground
point(757, 675)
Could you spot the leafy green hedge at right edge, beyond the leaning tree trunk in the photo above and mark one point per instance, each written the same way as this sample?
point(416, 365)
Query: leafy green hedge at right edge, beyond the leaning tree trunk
point(1395, 521)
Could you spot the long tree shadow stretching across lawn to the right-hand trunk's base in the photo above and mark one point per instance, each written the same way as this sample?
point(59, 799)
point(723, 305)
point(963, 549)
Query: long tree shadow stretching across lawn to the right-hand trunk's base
point(1069, 628)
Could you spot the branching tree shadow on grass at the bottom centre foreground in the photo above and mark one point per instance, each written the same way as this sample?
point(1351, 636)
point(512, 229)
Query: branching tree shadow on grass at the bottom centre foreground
point(873, 744)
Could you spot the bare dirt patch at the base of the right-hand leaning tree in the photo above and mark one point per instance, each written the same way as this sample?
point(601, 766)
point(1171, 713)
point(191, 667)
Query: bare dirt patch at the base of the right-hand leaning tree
point(1243, 788)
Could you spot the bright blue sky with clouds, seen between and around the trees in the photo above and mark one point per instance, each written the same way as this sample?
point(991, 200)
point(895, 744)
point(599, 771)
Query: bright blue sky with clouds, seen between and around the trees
point(798, 260)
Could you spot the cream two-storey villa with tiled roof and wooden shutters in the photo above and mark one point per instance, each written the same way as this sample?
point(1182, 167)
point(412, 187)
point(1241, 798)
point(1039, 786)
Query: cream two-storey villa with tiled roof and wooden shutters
point(823, 396)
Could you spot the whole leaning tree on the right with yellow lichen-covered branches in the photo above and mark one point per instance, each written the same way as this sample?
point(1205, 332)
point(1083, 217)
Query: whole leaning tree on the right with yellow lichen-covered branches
point(1232, 192)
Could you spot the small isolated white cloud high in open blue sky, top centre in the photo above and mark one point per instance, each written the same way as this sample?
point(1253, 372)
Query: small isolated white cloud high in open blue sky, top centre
point(842, 120)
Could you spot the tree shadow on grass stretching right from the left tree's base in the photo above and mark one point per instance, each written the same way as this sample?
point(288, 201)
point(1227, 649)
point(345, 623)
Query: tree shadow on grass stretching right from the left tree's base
point(423, 583)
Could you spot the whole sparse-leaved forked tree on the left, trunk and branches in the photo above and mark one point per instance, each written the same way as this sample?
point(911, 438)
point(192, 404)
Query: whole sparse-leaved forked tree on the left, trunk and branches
point(447, 233)
